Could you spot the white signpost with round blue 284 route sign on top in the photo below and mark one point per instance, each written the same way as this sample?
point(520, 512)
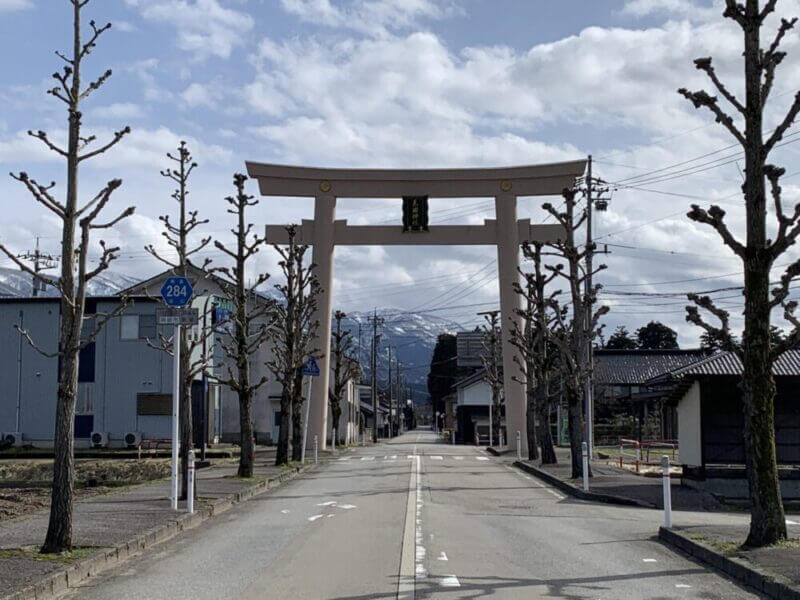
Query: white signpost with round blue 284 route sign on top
point(176, 292)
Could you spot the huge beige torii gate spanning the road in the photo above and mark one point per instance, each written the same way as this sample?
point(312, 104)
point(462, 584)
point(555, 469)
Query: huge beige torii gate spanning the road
point(324, 232)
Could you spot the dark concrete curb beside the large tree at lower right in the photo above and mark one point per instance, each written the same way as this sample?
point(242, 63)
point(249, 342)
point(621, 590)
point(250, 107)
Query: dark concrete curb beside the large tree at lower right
point(733, 567)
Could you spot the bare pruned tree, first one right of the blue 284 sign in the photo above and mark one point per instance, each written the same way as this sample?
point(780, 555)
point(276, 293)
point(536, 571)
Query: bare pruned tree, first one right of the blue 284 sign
point(251, 312)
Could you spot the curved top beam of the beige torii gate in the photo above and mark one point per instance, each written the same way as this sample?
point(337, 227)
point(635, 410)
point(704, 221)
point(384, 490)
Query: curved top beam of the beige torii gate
point(530, 180)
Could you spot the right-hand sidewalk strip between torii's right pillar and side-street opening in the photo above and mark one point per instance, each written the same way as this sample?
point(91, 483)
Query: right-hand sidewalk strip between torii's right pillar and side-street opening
point(611, 483)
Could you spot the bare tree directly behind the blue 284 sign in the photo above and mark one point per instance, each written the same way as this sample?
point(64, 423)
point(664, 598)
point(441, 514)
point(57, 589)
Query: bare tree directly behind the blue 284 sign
point(177, 236)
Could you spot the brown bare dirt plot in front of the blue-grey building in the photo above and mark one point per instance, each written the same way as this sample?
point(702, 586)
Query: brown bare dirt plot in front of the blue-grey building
point(93, 477)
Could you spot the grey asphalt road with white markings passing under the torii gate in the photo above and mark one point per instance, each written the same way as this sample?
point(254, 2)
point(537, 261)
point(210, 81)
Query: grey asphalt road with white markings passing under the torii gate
point(417, 519)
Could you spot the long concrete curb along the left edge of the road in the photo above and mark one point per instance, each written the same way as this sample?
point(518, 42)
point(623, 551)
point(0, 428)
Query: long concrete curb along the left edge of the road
point(59, 582)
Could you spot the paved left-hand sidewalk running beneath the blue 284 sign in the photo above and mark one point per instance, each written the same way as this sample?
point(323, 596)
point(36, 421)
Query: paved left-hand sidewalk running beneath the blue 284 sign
point(120, 523)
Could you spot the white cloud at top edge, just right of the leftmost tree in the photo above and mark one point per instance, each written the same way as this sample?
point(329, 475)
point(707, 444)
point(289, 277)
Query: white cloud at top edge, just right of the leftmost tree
point(205, 28)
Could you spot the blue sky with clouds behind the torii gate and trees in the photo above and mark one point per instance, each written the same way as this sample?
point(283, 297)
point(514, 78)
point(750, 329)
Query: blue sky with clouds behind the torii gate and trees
point(411, 83)
